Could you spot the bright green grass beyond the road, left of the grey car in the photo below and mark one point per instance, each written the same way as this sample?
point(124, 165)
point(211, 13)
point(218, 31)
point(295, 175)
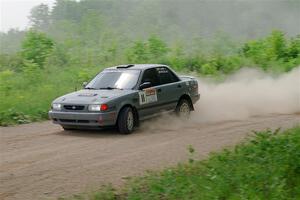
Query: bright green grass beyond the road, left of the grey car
point(27, 97)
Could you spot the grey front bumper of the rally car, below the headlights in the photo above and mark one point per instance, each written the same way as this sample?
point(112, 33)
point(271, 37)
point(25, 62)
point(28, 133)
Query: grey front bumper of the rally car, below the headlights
point(83, 119)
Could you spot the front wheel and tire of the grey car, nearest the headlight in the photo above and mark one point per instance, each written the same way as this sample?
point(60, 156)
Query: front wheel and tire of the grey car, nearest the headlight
point(126, 121)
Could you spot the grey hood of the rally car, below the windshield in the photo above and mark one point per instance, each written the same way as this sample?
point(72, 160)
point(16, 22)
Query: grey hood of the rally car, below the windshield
point(91, 96)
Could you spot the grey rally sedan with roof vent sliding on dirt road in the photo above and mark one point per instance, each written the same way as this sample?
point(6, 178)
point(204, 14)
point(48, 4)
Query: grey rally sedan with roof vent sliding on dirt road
point(123, 95)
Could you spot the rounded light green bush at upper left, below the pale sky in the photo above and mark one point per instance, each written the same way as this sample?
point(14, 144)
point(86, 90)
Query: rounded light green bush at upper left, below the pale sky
point(36, 47)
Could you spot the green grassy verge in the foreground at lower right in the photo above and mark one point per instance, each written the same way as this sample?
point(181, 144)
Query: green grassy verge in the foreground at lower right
point(265, 166)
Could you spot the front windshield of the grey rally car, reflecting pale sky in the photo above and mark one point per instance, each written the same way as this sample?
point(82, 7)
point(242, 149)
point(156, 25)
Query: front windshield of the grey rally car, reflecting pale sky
point(126, 79)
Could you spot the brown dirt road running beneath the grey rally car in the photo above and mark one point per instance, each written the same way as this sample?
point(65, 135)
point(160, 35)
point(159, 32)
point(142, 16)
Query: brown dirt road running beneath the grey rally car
point(41, 161)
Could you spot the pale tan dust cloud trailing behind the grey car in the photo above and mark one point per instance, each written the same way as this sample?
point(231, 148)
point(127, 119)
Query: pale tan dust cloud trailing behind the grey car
point(247, 93)
